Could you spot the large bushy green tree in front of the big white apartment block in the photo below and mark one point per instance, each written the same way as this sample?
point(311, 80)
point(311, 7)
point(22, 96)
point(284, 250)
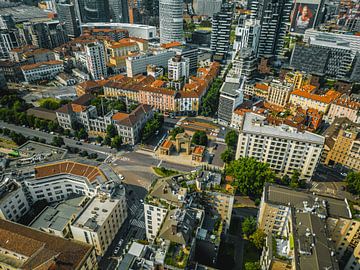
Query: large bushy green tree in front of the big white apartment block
point(250, 175)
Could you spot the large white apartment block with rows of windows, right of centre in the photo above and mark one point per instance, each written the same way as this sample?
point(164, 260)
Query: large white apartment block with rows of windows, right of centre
point(300, 150)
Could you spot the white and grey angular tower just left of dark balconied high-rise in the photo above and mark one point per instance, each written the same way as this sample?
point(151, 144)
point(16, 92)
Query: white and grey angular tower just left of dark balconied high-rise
point(247, 34)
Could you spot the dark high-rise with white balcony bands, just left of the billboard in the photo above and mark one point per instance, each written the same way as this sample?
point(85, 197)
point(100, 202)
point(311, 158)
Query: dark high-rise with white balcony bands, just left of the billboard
point(274, 19)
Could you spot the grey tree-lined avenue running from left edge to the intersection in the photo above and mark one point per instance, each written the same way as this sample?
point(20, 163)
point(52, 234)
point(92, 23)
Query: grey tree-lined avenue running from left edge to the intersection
point(28, 132)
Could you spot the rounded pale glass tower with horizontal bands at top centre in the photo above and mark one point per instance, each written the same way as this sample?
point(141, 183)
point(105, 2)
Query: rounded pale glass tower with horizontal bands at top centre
point(171, 21)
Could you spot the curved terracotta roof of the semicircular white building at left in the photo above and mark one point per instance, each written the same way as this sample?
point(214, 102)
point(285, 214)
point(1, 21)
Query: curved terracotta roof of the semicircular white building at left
point(69, 167)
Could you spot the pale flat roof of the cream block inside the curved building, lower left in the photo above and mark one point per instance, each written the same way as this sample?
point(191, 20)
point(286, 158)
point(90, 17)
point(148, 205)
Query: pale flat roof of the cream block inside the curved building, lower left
point(95, 213)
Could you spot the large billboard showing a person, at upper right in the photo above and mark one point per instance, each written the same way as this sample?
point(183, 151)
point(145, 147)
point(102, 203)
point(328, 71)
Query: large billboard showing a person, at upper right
point(303, 17)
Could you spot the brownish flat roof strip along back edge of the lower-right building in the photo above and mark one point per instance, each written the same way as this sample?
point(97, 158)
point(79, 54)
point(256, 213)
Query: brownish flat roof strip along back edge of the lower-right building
point(289, 197)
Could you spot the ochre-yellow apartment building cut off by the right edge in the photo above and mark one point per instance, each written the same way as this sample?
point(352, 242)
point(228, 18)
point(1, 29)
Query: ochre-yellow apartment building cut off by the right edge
point(343, 141)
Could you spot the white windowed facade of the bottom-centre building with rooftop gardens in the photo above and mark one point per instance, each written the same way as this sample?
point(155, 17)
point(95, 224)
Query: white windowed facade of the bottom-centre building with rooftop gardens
point(154, 217)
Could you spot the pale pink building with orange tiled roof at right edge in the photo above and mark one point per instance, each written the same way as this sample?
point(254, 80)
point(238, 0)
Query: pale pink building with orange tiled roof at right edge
point(345, 107)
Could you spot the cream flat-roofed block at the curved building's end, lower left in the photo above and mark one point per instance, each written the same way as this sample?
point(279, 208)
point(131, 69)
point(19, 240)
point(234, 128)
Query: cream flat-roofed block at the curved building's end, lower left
point(100, 221)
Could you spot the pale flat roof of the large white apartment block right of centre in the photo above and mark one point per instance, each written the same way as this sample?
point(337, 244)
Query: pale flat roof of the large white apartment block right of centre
point(257, 124)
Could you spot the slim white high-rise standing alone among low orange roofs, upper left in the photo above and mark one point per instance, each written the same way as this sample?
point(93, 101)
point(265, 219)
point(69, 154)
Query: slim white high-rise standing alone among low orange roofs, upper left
point(96, 61)
